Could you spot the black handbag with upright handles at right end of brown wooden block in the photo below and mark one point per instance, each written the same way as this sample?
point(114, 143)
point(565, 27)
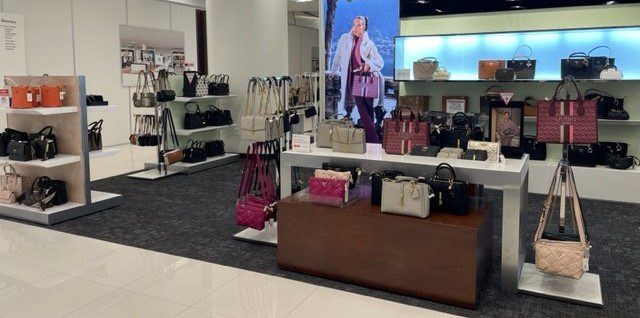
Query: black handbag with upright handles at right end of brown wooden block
point(450, 195)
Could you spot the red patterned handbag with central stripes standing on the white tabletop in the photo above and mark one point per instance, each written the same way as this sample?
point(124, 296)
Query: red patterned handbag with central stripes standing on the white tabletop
point(401, 134)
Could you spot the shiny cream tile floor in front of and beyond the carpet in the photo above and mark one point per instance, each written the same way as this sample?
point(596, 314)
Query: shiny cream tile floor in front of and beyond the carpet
point(46, 273)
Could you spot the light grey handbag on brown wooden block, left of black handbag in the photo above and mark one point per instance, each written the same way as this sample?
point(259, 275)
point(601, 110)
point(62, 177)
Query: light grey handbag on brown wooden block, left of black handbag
point(406, 196)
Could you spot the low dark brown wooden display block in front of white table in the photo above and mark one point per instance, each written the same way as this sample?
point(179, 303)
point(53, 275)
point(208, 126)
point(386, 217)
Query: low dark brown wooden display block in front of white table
point(443, 257)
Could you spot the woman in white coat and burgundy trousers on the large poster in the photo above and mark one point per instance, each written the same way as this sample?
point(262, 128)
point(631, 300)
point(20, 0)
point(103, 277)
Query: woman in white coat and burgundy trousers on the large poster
point(356, 53)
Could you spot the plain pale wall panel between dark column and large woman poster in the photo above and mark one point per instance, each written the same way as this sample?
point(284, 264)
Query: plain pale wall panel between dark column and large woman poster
point(246, 38)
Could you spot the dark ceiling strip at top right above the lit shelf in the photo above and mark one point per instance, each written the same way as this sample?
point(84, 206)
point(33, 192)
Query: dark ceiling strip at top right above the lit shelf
point(415, 8)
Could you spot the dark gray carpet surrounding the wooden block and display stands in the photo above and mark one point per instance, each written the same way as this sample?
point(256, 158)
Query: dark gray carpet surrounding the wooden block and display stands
point(192, 216)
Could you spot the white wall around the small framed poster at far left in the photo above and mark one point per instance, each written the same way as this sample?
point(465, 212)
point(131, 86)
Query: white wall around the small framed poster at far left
point(82, 37)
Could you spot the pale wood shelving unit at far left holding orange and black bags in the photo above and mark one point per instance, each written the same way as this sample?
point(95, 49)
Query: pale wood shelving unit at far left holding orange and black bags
point(71, 164)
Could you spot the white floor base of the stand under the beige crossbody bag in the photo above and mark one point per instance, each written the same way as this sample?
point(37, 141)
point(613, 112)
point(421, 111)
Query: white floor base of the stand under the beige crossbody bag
point(586, 290)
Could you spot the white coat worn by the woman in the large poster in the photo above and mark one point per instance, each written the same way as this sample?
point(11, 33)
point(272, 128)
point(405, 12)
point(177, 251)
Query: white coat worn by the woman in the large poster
point(342, 58)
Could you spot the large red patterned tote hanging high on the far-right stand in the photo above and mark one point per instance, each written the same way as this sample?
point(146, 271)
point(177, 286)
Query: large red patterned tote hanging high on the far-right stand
point(568, 121)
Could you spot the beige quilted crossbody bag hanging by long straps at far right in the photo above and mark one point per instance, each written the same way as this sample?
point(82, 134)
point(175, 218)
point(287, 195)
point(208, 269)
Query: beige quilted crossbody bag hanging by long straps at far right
point(567, 258)
